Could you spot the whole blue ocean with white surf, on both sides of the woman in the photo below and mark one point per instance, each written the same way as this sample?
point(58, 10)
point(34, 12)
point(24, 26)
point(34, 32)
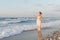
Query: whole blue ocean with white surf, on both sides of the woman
point(16, 25)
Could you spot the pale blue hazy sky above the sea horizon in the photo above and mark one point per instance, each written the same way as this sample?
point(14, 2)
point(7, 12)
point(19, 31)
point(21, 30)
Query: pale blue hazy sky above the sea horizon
point(22, 8)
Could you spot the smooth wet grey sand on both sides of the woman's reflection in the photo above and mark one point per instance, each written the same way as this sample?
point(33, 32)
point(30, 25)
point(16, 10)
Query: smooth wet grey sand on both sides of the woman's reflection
point(30, 35)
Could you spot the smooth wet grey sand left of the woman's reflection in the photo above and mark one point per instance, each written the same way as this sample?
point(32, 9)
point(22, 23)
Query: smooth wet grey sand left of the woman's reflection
point(28, 35)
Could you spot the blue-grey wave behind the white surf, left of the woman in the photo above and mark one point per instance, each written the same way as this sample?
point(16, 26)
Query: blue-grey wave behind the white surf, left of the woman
point(9, 21)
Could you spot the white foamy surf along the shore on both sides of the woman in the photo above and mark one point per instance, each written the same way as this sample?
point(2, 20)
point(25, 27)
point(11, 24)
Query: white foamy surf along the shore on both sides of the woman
point(12, 30)
